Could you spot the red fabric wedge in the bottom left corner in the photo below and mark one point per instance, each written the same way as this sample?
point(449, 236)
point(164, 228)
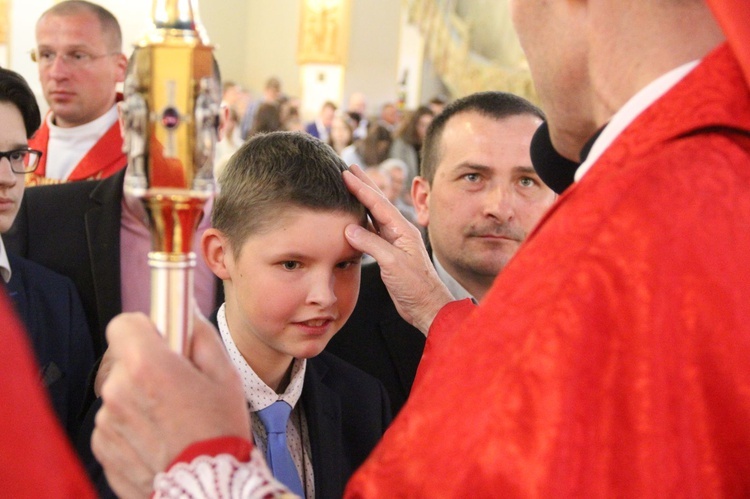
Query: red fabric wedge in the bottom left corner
point(35, 457)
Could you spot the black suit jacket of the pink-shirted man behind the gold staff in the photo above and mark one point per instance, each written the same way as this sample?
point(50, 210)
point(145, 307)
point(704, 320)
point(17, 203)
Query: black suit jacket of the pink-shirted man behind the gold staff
point(74, 230)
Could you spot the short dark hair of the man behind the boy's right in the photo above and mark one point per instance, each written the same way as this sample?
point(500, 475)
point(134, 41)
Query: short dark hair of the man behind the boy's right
point(495, 105)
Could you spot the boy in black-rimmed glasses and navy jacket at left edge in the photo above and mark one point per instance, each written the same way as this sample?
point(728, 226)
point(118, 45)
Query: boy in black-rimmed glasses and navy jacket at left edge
point(46, 302)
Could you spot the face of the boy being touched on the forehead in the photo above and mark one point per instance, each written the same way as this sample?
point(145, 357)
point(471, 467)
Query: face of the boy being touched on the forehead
point(292, 288)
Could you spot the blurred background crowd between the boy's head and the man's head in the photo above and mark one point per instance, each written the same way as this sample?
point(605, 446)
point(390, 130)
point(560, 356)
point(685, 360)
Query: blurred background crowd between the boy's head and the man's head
point(387, 144)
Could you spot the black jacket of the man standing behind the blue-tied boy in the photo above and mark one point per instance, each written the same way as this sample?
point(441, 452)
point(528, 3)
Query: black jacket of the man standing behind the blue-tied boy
point(377, 340)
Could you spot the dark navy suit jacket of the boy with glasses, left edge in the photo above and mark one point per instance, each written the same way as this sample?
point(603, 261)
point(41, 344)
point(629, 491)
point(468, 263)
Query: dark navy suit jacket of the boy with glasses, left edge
point(50, 309)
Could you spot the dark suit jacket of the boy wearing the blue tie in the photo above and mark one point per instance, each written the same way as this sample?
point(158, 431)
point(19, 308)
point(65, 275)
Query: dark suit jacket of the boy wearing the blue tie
point(347, 413)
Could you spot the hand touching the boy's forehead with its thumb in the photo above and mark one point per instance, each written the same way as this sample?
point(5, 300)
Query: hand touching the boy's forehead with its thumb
point(405, 266)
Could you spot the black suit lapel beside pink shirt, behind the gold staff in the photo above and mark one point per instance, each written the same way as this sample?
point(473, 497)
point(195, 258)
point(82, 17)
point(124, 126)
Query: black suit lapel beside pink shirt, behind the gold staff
point(103, 239)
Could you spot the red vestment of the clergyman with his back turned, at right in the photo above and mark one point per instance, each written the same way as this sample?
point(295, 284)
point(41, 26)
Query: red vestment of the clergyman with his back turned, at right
point(611, 358)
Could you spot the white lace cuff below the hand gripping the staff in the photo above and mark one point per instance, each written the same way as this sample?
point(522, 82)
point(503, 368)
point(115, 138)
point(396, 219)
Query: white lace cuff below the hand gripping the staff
point(220, 477)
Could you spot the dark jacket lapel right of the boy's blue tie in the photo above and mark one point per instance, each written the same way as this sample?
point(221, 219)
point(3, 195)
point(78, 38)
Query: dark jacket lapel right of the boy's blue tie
point(323, 412)
